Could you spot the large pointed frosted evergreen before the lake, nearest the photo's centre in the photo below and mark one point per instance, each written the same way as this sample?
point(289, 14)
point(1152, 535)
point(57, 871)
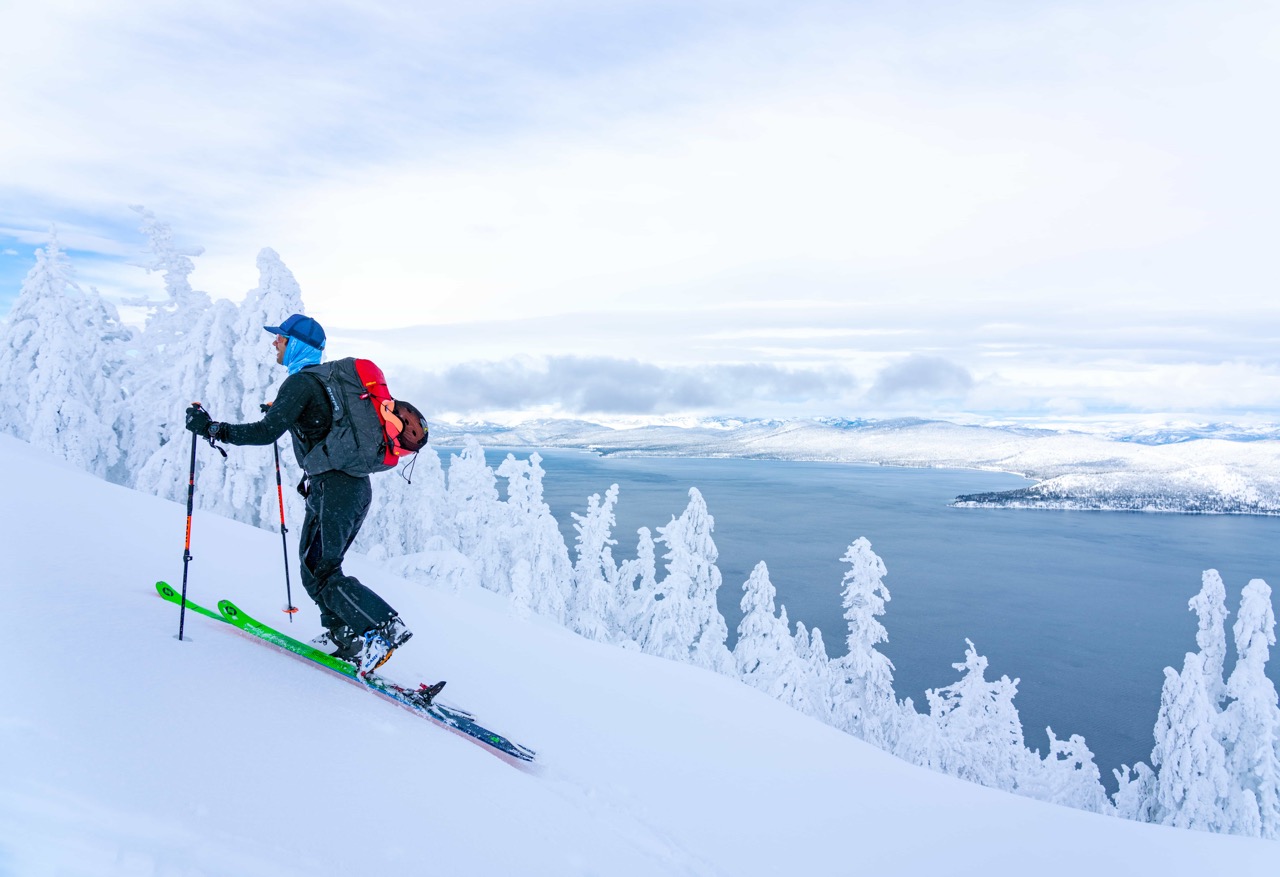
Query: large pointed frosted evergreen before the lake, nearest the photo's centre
point(691, 588)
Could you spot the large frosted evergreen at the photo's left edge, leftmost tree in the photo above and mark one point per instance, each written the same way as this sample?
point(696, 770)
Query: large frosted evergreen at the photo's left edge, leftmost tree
point(61, 358)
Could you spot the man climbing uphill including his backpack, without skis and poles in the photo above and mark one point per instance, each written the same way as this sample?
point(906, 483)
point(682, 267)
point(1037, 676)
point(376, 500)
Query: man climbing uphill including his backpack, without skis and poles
point(362, 628)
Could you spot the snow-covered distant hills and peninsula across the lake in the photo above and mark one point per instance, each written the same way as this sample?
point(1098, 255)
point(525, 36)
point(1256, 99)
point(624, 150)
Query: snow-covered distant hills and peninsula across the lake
point(1195, 469)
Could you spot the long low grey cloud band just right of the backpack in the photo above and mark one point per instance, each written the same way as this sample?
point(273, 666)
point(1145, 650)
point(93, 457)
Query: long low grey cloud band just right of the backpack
point(582, 386)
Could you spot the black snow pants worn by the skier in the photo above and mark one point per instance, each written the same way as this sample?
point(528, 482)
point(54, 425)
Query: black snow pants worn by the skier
point(337, 505)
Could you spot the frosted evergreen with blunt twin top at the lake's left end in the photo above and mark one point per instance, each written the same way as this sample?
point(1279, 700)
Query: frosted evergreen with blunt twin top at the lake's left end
point(541, 573)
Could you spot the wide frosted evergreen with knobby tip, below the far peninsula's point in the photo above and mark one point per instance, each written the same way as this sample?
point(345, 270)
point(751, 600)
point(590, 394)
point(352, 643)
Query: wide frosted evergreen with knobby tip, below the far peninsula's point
point(980, 733)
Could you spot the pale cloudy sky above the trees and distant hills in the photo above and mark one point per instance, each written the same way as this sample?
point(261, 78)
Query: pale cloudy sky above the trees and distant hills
point(996, 211)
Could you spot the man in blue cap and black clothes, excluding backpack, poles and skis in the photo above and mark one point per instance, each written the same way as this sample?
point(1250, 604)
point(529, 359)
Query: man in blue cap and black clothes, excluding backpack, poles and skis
point(360, 627)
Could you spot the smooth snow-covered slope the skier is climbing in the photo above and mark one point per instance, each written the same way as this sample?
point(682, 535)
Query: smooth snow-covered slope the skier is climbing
point(126, 752)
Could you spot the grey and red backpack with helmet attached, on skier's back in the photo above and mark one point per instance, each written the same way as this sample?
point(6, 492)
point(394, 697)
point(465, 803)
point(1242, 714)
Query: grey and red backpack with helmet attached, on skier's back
point(371, 431)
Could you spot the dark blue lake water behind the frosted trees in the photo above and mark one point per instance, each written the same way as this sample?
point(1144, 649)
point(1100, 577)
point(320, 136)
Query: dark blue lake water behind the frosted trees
point(1086, 609)
